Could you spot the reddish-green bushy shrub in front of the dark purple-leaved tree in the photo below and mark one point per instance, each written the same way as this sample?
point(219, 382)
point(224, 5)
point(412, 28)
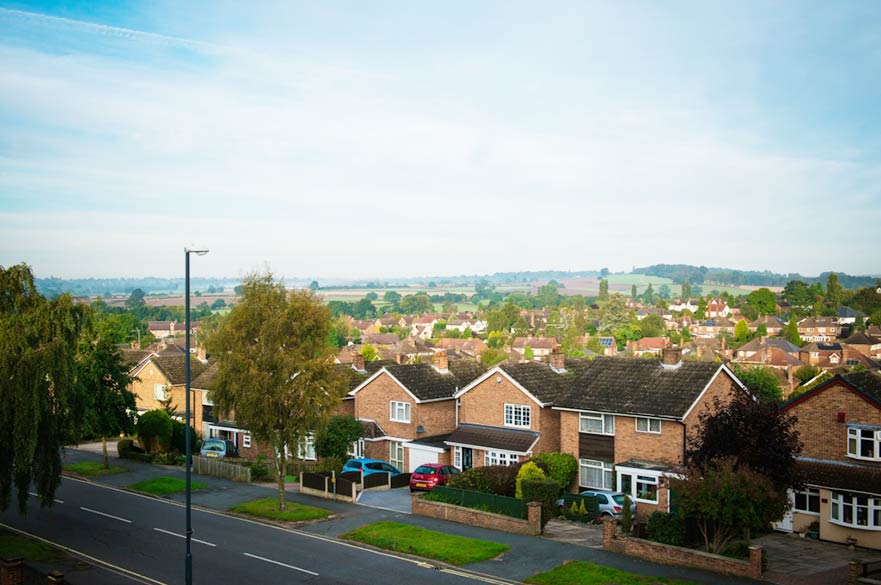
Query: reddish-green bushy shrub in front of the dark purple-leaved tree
point(727, 499)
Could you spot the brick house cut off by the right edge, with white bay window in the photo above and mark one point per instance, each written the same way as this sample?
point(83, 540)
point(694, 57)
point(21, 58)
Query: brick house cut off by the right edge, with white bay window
point(840, 426)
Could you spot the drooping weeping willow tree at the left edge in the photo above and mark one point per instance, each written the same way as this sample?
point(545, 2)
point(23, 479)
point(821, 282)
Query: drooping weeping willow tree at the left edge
point(38, 342)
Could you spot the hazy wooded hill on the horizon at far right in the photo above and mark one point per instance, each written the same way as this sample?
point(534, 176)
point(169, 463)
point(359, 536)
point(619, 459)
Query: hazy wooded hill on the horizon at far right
point(727, 276)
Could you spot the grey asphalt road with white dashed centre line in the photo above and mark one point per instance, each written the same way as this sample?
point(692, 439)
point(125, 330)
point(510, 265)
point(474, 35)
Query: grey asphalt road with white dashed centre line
point(141, 539)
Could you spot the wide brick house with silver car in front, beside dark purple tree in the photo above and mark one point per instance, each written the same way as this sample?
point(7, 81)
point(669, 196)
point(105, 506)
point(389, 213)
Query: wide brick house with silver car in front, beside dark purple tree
point(627, 421)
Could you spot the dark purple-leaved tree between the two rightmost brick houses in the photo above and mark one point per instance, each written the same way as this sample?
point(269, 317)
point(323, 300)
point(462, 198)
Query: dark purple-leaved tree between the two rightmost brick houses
point(751, 433)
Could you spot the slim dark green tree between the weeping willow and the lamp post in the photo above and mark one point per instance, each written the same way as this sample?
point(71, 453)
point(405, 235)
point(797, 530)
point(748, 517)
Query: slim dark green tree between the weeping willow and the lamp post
point(103, 382)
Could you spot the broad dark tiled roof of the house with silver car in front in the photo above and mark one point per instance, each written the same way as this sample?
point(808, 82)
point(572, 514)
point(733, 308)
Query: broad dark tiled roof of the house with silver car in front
point(638, 386)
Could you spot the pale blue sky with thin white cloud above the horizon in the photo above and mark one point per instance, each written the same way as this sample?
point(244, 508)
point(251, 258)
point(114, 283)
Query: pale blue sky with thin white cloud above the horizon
point(382, 139)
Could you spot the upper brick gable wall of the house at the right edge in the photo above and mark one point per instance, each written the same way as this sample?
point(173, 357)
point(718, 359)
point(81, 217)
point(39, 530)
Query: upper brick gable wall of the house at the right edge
point(823, 436)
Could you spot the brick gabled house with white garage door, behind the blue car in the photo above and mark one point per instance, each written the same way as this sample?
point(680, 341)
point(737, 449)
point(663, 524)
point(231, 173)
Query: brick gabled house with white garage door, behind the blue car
point(409, 410)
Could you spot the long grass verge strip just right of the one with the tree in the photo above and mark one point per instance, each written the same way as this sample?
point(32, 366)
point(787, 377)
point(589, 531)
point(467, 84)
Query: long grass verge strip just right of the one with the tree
point(456, 550)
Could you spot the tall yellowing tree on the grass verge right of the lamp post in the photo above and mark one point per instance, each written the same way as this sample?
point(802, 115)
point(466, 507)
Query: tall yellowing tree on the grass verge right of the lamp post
point(275, 367)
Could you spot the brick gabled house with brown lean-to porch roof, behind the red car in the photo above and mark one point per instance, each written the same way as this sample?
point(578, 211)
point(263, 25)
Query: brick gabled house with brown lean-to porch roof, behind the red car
point(505, 415)
